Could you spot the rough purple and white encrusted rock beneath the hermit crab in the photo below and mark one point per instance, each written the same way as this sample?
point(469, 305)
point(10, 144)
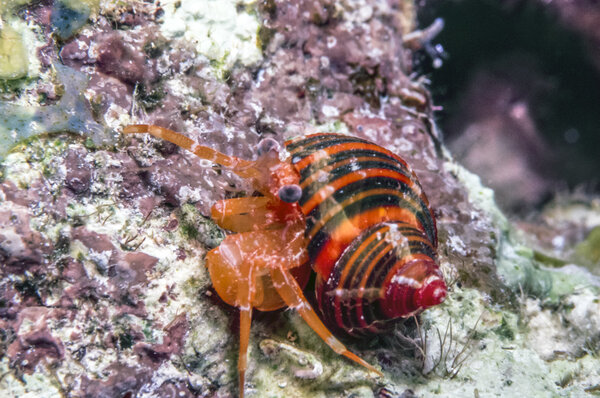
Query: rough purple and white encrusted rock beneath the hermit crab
point(103, 291)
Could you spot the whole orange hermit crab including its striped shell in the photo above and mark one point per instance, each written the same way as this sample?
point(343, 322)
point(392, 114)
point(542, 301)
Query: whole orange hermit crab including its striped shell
point(350, 208)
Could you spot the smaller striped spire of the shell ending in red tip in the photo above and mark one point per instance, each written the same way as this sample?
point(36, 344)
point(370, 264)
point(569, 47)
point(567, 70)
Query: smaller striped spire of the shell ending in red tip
point(381, 276)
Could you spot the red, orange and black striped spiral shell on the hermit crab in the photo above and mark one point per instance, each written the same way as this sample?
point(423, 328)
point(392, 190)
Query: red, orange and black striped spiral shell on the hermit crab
point(372, 236)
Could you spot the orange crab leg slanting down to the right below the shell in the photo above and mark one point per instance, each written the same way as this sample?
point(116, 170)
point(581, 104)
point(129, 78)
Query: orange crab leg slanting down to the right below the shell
point(291, 293)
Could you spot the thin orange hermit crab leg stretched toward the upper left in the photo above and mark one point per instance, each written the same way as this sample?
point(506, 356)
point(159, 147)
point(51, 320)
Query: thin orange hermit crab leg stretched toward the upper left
point(241, 167)
